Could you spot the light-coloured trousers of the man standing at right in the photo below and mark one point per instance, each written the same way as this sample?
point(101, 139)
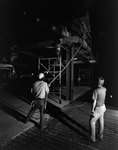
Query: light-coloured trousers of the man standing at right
point(97, 115)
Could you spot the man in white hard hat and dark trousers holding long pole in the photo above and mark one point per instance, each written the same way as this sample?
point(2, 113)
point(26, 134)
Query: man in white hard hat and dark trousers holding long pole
point(40, 90)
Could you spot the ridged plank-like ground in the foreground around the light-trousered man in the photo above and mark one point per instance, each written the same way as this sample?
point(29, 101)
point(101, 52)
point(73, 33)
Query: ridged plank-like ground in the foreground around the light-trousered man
point(69, 129)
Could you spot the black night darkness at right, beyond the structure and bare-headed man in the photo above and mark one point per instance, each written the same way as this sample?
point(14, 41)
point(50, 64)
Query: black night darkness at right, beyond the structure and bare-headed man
point(104, 24)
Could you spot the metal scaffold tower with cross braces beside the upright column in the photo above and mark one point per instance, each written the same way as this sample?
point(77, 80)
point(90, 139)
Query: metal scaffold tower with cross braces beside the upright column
point(52, 66)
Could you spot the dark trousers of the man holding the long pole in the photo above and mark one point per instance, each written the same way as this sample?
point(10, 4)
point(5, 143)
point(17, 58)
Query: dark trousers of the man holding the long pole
point(40, 104)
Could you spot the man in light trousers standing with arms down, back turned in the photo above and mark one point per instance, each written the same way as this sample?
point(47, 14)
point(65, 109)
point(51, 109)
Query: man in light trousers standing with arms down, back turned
point(98, 109)
